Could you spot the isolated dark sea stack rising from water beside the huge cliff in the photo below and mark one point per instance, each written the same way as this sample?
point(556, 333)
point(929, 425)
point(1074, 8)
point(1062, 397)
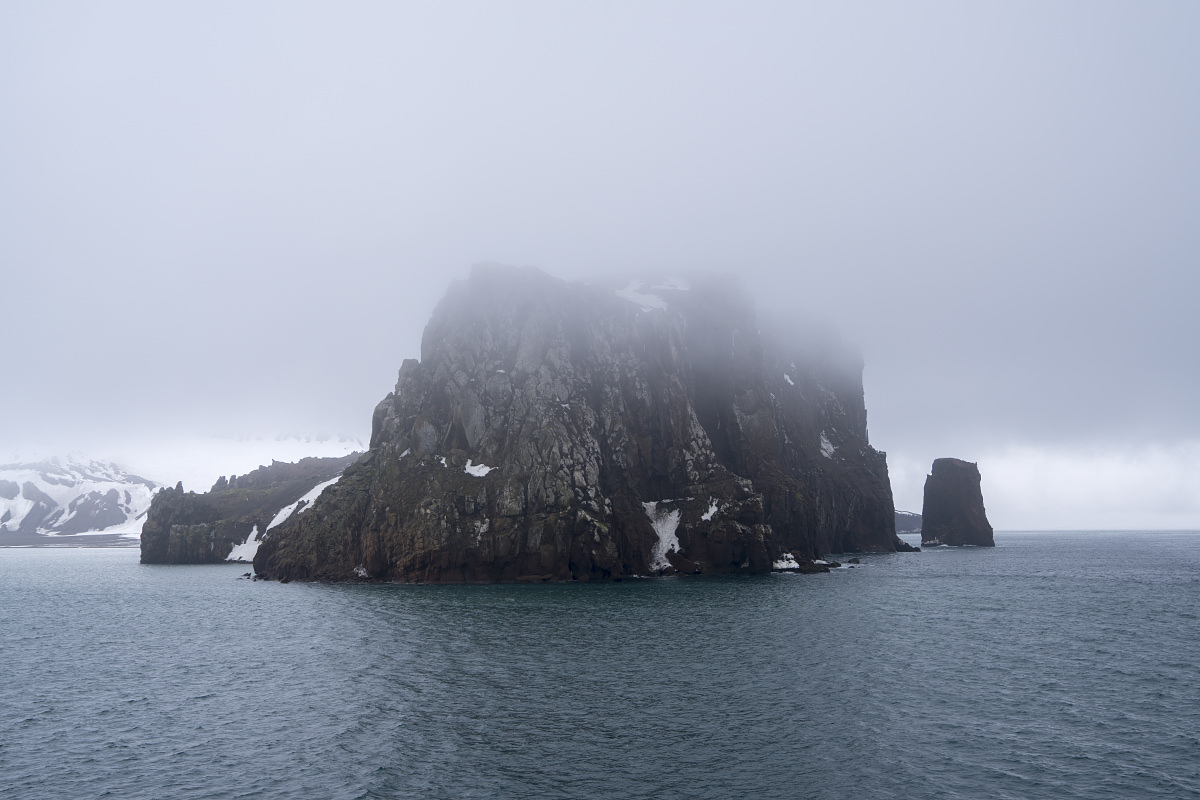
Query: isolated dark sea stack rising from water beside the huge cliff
point(953, 512)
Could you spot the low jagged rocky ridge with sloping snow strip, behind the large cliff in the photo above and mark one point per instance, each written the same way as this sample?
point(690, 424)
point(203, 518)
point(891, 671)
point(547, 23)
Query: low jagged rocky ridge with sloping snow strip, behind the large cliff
point(226, 524)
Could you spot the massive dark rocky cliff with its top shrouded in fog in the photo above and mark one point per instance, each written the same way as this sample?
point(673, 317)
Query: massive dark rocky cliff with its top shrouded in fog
point(559, 431)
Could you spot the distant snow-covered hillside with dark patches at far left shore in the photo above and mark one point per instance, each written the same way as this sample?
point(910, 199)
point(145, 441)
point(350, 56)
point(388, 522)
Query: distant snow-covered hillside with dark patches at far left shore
point(56, 497)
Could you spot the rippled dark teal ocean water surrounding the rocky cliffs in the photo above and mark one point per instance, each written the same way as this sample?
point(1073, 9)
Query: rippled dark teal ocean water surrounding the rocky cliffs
point(1054, 666)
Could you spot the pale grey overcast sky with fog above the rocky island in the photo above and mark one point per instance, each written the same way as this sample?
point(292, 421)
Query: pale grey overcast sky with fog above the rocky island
point(227, 220)
